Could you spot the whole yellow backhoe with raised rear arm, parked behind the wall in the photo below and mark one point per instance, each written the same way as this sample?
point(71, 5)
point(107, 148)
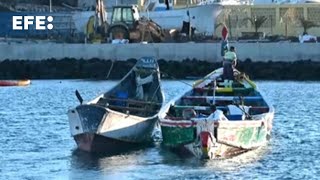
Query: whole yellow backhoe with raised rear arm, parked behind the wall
point(125, 24)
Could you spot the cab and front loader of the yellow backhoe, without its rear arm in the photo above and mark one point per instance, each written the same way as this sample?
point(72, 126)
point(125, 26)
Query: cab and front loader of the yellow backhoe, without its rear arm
point(127, 24)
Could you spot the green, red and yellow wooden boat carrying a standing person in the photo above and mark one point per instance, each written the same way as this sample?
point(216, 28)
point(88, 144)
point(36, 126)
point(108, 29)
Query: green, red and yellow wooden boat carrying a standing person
point(245, 124)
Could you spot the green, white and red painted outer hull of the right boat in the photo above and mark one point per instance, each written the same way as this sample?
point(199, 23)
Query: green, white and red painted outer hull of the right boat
point(211, 140)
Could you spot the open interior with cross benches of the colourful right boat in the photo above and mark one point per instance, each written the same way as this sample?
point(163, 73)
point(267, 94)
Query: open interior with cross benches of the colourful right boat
point(238, 102)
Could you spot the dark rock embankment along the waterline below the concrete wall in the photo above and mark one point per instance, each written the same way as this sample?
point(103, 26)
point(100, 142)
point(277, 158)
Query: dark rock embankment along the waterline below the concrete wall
point(67, 68)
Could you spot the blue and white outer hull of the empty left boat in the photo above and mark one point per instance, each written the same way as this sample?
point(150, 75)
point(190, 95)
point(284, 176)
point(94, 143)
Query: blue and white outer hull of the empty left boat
point(98, 129)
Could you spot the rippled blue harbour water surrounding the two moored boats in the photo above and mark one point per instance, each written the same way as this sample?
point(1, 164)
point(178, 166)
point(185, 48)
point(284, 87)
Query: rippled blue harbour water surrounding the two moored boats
point(35, 142)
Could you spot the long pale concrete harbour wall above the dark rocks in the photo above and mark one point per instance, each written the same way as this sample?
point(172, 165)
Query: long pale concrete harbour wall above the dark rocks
point(285, 52)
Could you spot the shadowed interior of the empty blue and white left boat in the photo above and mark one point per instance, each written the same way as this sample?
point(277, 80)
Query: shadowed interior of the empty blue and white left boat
point(139, 93)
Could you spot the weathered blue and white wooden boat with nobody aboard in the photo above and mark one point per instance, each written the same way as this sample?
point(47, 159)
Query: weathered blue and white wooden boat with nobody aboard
point(122, 117)
